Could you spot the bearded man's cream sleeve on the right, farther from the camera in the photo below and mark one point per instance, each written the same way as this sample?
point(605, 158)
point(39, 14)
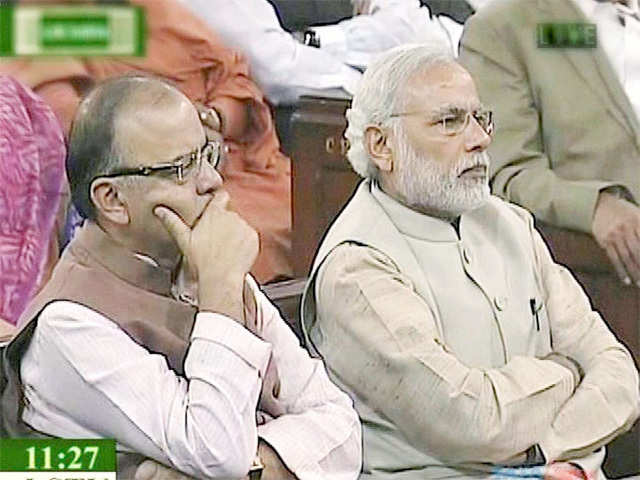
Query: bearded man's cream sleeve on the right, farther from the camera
point(610, 383)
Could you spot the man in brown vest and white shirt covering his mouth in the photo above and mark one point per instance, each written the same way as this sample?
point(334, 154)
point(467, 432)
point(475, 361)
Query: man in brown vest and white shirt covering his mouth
point(150, 327)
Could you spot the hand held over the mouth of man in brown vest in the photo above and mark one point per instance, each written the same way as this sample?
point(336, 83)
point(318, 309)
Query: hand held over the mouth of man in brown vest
point(220, 250)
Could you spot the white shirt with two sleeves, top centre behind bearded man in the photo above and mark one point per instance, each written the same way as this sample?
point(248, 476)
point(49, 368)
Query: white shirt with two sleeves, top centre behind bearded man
point(284, 68)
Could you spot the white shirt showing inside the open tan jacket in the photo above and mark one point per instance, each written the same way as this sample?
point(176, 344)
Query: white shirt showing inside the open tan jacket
point(618, 29)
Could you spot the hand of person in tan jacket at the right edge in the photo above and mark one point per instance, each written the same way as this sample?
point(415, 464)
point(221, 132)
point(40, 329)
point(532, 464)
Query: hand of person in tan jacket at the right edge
point(616, 228)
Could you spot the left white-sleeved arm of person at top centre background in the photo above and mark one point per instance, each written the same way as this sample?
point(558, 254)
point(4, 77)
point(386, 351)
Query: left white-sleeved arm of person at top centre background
point(280, 64)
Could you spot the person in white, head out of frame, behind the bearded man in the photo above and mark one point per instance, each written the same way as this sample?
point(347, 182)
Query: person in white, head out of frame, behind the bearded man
point(319, 56)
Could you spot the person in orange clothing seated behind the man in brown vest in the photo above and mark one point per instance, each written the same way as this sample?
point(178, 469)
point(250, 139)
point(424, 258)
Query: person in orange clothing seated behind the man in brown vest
point(184, 50)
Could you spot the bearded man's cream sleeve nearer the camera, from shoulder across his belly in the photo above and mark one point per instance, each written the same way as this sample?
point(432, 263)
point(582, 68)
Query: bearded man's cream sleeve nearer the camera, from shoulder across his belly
point(380, 338)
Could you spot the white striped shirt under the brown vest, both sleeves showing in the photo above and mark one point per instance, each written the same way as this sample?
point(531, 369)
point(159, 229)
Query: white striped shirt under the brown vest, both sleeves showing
point(84, 377)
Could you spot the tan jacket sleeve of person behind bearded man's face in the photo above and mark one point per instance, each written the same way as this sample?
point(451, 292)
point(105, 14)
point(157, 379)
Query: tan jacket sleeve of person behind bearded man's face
point(520, 168)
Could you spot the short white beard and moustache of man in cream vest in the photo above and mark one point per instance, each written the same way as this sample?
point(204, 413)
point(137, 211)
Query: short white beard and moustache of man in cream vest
point(435, 188)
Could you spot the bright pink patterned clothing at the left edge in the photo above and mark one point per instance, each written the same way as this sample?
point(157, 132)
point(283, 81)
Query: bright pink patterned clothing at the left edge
point(32, 154)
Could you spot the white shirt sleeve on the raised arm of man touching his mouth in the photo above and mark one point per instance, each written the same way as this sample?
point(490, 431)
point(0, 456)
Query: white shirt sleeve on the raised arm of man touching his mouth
point(82, 373)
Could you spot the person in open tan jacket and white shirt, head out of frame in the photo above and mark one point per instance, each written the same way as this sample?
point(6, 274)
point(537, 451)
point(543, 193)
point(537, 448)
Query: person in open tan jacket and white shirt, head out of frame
point(568, 142)
